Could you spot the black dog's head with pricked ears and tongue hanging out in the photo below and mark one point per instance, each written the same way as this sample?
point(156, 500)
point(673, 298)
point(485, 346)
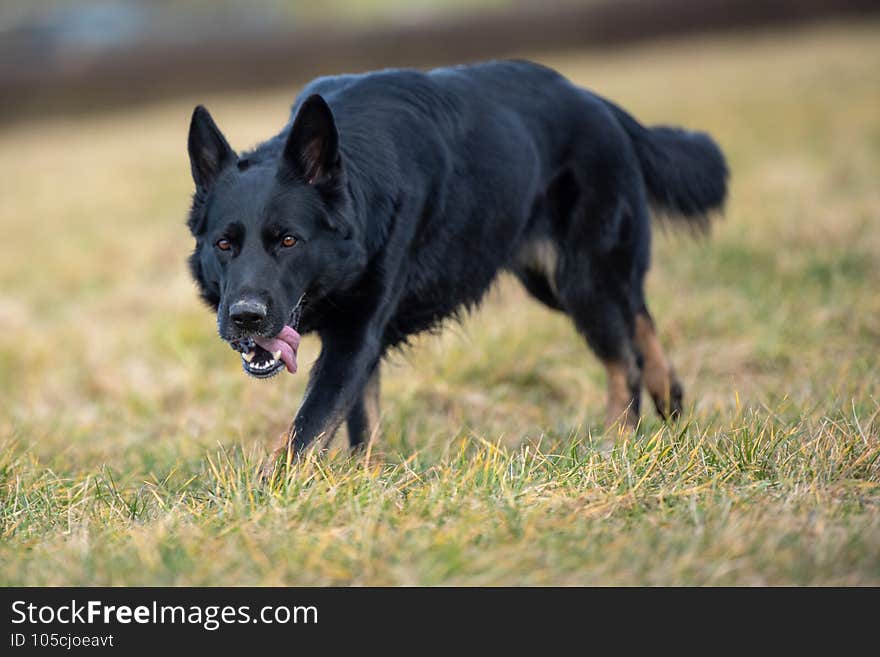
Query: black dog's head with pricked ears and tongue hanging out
point(270, 231)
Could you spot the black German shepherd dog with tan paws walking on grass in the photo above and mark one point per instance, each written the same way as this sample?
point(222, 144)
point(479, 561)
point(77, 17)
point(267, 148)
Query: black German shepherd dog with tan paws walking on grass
point(392, 200)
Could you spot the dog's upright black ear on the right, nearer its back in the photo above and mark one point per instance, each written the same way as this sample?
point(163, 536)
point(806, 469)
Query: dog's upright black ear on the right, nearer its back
point(312, 149)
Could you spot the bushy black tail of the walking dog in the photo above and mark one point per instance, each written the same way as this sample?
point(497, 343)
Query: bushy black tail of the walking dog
point(685, 172)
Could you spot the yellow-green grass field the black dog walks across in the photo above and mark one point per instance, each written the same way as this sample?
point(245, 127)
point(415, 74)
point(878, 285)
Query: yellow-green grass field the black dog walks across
point(129, 437)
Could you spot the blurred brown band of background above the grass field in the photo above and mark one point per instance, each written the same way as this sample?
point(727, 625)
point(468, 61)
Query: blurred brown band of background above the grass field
point(59, 57)
